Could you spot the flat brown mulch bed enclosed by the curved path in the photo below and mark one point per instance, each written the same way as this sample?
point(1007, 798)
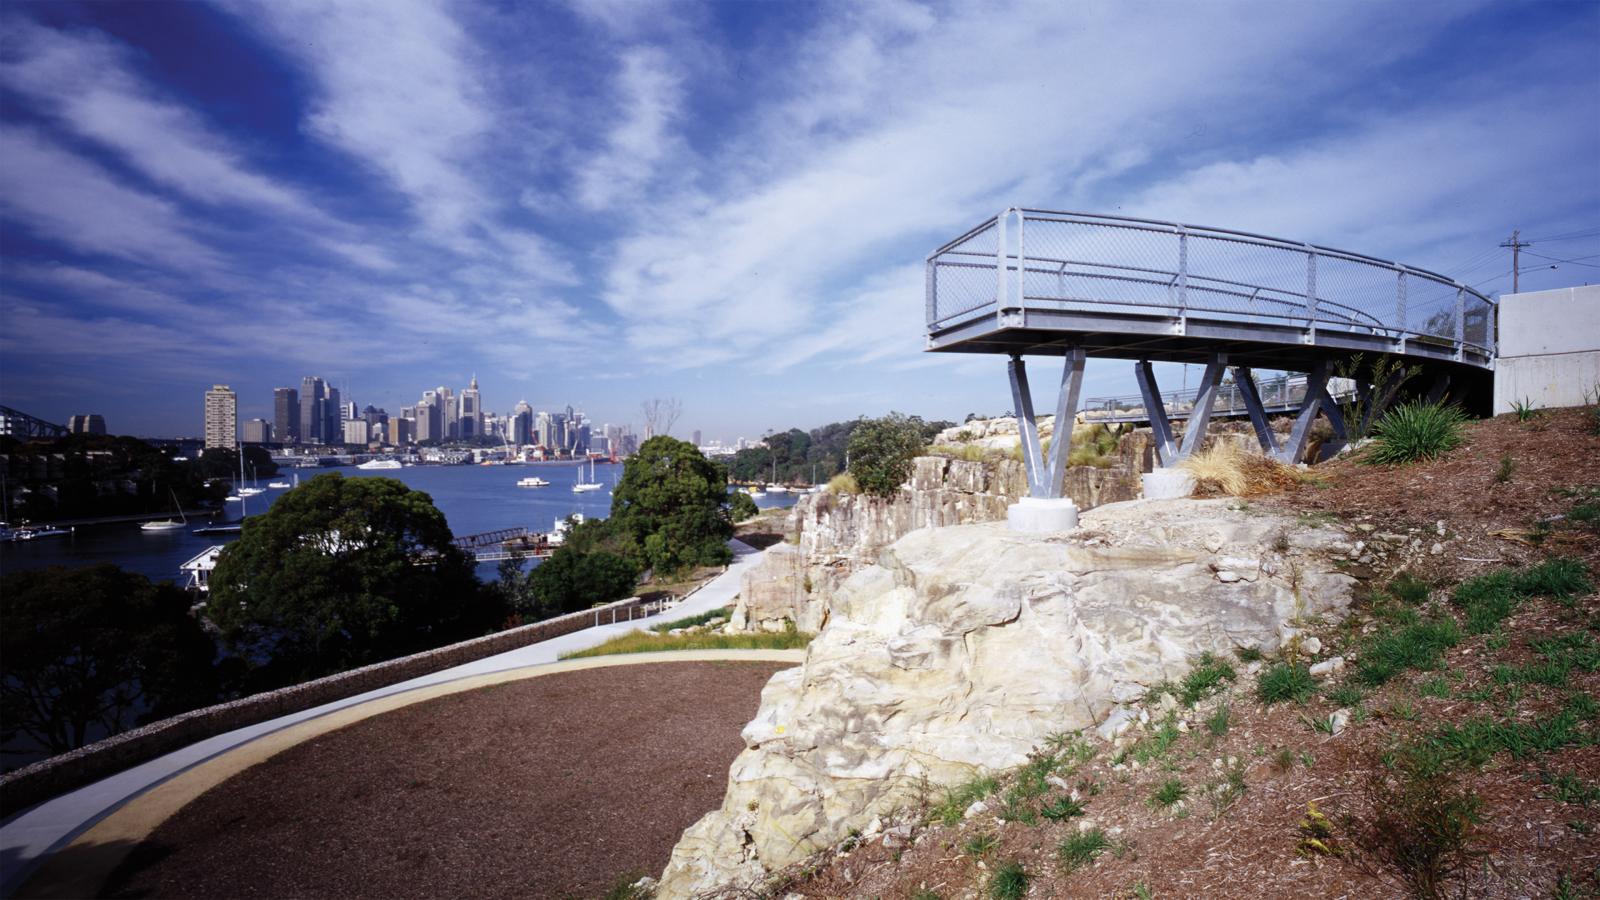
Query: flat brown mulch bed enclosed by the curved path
point(550, 787)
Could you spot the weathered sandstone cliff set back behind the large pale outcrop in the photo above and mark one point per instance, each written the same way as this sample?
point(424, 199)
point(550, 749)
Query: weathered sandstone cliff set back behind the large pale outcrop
point(844, 534)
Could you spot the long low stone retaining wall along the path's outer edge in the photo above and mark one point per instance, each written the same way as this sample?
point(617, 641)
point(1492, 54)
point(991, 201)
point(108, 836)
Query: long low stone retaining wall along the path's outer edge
point(62, 774)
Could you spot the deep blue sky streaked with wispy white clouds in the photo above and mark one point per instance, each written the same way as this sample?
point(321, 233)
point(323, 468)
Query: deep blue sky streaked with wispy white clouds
point(606, 201)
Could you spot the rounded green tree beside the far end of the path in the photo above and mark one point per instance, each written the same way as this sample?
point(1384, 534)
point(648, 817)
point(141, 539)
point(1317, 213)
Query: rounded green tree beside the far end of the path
point(673, 507)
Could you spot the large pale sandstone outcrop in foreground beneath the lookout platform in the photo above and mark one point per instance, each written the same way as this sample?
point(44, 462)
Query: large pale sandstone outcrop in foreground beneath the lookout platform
point(964, 648)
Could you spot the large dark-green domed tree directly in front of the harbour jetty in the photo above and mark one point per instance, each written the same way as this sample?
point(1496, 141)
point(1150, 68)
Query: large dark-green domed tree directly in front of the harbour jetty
point(345, 573)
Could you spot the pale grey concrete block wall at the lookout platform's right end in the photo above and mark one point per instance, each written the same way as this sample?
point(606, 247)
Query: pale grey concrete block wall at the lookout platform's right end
point(1550, 348)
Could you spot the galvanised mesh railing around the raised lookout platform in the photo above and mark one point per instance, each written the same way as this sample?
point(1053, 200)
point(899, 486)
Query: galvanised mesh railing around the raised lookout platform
point(1079, 262)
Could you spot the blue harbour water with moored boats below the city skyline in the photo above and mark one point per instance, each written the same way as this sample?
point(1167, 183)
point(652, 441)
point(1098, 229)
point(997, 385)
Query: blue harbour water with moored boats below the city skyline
point(473, 499)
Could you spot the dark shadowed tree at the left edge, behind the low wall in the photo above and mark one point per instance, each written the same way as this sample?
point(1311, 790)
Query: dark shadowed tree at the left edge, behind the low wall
point(90, 653)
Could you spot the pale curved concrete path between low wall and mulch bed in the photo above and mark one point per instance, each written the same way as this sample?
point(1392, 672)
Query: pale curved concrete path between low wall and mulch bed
point(30, 838)
